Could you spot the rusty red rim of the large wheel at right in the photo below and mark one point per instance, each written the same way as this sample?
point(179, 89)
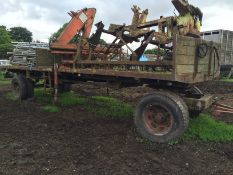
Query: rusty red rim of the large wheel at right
point(158, 119)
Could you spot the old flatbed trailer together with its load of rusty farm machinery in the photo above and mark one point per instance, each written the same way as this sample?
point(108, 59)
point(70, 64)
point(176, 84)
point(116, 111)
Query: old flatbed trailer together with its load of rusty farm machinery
point(180, 63)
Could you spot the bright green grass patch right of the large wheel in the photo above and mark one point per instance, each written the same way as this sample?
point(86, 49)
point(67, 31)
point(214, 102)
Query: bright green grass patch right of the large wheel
point(205, 128)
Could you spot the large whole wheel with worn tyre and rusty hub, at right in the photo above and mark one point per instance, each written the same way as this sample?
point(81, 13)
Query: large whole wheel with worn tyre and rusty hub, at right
point(161, 117)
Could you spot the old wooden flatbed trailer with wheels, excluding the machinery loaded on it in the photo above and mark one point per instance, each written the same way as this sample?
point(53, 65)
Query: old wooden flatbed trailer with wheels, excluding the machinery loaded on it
point(161, 116)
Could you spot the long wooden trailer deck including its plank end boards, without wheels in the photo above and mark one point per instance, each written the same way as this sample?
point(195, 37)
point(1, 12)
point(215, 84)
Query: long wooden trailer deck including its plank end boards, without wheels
point(185, 67)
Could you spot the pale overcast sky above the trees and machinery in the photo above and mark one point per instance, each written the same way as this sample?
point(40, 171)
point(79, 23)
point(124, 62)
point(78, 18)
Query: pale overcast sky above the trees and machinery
point(43, 17)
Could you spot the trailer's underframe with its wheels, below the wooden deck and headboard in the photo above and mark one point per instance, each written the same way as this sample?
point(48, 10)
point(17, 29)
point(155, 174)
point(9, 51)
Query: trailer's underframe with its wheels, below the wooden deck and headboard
point(160, 116)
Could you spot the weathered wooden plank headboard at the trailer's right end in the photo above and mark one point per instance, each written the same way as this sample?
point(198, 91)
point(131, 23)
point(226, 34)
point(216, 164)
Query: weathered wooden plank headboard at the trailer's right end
point(188, 66)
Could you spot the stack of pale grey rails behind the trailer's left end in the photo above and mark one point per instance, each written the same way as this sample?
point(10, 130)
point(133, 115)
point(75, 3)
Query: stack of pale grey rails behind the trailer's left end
point(24, 53)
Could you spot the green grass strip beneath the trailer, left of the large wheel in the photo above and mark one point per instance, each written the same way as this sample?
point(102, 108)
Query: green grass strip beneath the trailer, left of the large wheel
point(101, 106)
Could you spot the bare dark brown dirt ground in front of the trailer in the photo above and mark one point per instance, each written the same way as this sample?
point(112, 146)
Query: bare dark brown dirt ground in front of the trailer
point(77, 142)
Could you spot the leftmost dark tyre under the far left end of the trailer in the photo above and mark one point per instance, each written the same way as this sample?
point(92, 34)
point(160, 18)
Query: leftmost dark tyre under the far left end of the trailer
point(19, 87)
